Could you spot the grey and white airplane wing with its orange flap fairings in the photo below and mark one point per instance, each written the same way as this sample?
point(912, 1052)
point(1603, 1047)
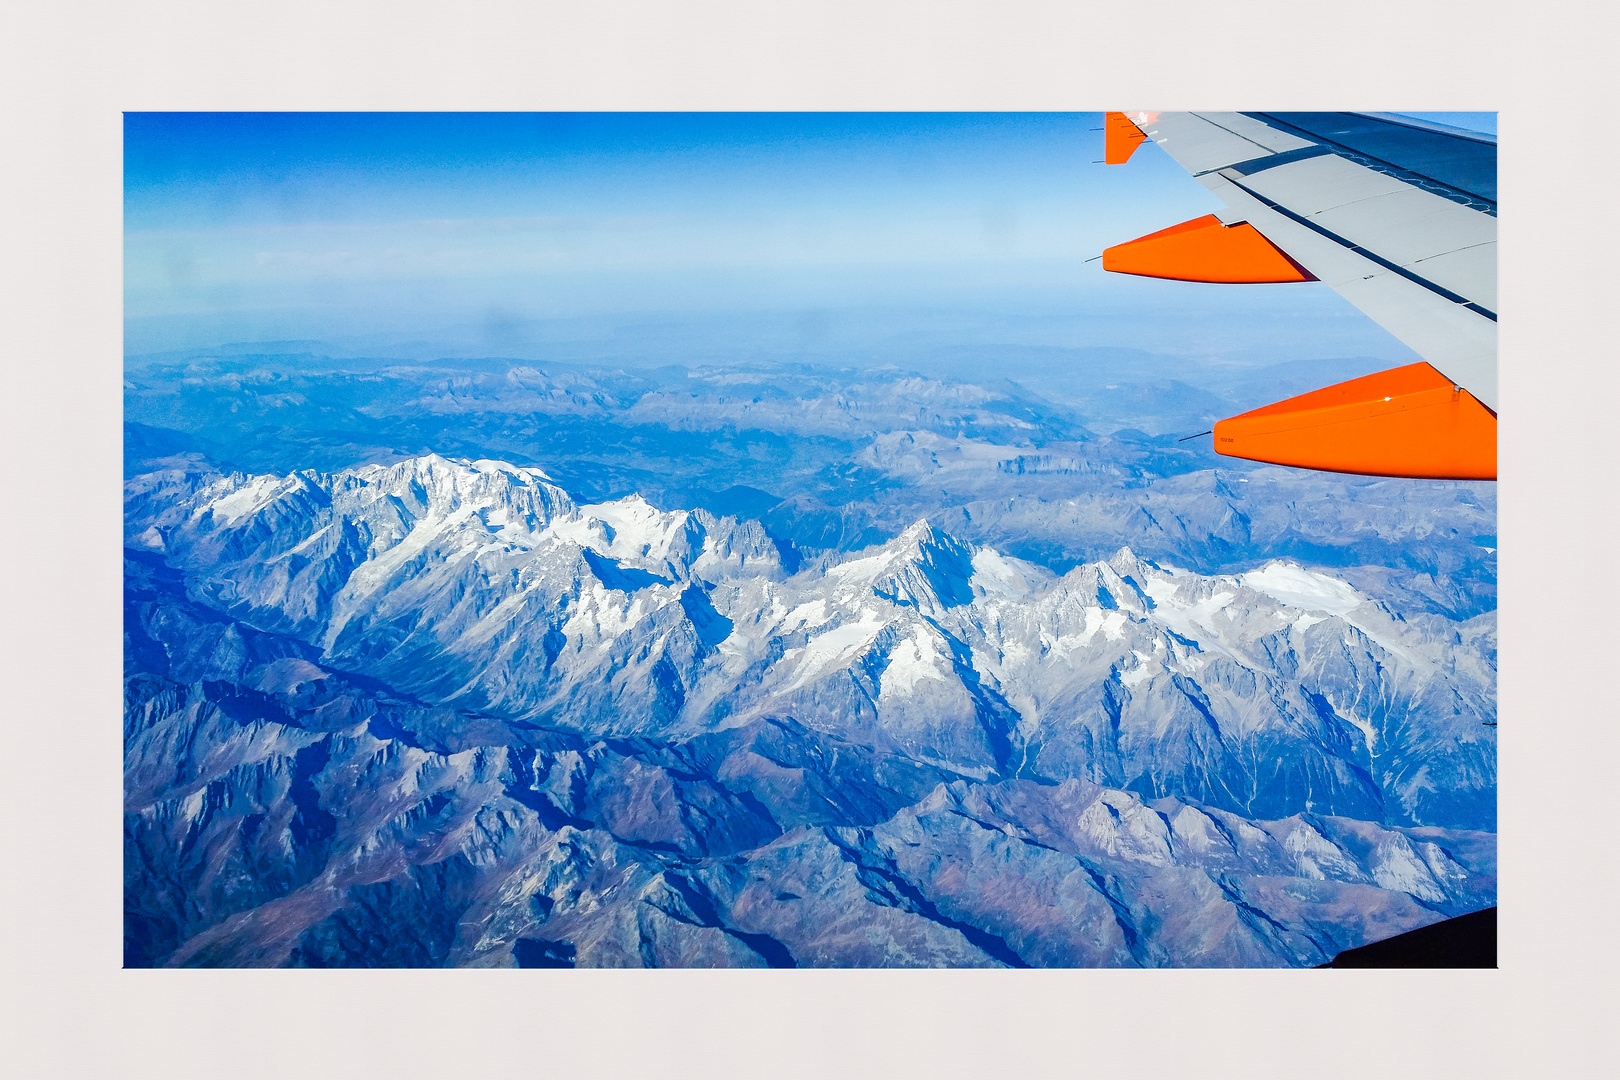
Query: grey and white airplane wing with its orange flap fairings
point(1400, 218)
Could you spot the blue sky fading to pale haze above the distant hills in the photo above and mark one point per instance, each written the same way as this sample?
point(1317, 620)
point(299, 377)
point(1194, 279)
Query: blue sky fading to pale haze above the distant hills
point(339, 226)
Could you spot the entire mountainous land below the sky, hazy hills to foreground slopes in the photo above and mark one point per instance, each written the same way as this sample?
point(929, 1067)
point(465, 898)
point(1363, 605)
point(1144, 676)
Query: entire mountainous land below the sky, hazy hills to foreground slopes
point(953, 655)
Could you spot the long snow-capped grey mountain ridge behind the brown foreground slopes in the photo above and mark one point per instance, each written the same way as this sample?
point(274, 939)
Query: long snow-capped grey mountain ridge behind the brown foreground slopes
point(485, 589)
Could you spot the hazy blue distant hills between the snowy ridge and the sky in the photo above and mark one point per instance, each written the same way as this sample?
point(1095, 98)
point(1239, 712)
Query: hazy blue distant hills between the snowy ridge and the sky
point(1052, 456)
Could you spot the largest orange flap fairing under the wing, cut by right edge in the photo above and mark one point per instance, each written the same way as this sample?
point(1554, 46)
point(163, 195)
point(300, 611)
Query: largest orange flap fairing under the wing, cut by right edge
point(1405, 422)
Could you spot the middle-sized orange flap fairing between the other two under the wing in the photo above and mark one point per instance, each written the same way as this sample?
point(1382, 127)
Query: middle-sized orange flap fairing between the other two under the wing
point(1204, 250)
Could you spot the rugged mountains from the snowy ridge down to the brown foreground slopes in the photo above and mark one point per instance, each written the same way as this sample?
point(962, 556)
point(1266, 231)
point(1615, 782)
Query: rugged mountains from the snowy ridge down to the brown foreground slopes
point(441, 713)
